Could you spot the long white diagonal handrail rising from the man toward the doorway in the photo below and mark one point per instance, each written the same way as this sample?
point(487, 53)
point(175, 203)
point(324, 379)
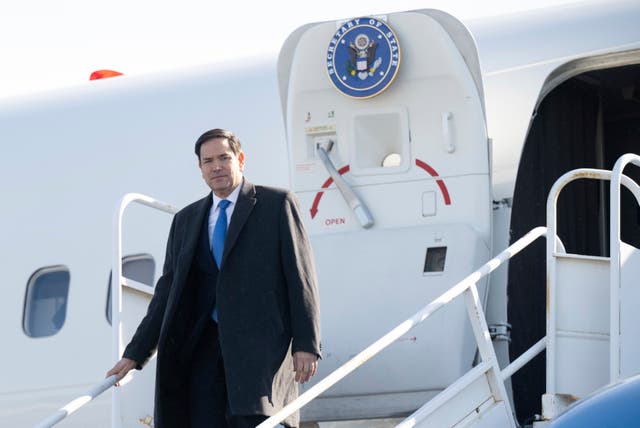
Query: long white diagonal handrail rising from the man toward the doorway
point(407, 325)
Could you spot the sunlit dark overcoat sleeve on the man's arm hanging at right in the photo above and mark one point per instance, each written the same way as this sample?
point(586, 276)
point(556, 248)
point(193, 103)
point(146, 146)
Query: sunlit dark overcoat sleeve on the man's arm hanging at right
point(299, 270)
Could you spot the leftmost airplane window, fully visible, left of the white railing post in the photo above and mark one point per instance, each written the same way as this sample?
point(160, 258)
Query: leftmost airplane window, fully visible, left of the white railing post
point(45, 306)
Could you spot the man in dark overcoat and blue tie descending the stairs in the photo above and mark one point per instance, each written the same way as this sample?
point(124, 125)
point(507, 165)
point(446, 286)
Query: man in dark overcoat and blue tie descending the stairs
point(235, 314)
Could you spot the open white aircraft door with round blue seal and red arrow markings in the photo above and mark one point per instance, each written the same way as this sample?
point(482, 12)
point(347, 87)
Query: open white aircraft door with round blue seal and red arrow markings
point(390, 161)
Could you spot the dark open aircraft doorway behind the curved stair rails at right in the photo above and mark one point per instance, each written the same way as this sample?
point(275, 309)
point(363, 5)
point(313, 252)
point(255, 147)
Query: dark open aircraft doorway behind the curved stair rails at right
point(587, 121)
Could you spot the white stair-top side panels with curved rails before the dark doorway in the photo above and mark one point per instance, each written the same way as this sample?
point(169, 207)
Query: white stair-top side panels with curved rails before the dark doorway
point(592, 324)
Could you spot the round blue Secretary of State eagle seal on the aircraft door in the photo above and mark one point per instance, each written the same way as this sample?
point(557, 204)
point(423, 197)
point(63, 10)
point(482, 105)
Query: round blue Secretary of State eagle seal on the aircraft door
point(363, 57)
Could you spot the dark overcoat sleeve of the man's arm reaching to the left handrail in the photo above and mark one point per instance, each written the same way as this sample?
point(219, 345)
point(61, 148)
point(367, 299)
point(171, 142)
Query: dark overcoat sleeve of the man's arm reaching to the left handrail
point(145, 339)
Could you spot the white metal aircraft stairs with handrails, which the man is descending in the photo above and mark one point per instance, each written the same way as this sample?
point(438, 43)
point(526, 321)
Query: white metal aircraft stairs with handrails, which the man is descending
point(590, 342)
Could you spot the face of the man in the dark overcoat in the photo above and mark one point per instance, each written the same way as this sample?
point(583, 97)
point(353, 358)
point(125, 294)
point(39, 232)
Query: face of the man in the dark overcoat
point(221, 168)
